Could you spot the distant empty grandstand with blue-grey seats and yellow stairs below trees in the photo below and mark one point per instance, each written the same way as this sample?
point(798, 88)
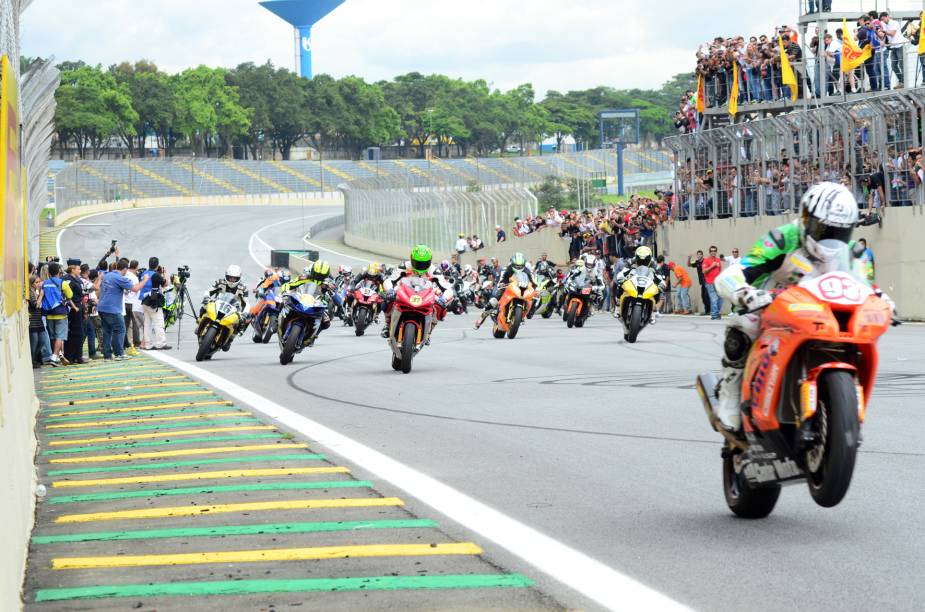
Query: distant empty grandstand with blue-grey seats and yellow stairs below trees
point(109, 180)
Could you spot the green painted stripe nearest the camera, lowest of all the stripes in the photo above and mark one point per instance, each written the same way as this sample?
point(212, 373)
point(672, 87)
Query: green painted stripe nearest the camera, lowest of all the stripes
point(302, 585)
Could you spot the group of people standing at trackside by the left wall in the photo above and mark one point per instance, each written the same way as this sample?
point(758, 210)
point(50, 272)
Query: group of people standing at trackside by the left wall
point(79, 312)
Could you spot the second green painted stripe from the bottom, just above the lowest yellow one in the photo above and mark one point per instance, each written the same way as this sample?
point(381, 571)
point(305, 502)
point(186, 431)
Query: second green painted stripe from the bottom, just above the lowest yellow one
point(236, 530)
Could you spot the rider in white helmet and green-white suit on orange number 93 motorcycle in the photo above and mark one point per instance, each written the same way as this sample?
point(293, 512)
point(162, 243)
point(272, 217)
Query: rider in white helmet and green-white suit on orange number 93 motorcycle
point(828, 212)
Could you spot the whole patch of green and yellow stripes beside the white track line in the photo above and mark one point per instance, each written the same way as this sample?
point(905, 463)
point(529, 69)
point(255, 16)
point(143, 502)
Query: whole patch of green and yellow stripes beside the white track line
point(93, 410)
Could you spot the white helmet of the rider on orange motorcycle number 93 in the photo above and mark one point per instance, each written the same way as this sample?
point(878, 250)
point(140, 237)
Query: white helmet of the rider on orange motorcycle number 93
point(829, 212)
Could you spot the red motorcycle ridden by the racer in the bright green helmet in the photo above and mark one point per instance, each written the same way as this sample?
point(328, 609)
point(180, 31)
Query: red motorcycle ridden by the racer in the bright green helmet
point(414, 311)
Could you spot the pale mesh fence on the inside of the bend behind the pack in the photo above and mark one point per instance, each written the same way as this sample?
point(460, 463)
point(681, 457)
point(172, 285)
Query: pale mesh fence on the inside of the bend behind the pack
point(388, 220)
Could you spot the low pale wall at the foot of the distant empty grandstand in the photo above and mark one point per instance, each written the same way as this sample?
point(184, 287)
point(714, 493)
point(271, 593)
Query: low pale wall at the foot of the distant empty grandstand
point(280, 199)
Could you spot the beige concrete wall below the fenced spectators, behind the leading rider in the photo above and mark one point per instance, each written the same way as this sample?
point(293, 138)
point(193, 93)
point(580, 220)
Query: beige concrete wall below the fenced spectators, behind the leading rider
point(898, 252)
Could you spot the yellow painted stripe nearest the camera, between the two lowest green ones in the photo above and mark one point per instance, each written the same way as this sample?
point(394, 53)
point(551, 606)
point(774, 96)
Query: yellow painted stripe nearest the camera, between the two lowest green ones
point(270, 554)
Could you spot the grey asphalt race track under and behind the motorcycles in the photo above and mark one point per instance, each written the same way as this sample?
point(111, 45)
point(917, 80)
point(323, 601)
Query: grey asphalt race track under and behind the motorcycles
point(596, 443)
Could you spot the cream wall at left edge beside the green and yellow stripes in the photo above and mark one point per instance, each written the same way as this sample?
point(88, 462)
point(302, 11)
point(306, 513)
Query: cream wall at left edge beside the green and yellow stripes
point(18, 409)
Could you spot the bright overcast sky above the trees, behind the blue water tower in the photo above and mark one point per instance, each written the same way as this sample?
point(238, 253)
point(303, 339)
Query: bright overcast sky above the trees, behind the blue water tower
point(563, 45)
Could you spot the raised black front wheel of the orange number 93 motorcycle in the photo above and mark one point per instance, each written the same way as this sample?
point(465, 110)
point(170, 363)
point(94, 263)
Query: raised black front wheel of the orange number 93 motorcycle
point(837, 423)
